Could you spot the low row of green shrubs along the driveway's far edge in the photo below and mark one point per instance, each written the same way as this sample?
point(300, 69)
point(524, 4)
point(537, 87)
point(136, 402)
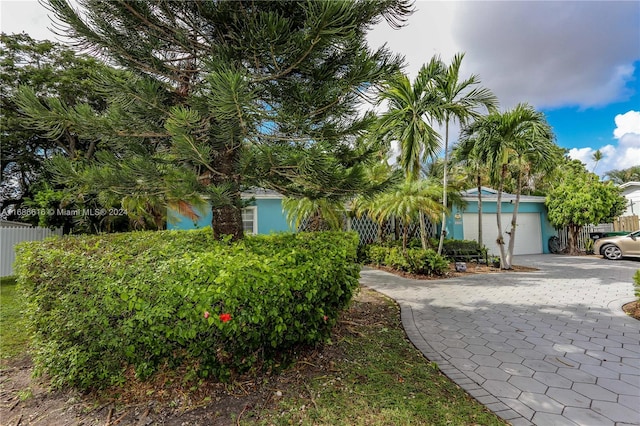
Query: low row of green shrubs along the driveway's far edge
point(413, 260)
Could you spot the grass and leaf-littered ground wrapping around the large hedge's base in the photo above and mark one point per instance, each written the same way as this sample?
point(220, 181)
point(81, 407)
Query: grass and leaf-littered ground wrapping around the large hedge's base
point(369, 374)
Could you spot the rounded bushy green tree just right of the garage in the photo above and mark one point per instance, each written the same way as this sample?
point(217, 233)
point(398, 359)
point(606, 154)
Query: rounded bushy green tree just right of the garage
point(580, 199)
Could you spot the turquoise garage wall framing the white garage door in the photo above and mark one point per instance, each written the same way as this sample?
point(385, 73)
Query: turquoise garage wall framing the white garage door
point(455, 227)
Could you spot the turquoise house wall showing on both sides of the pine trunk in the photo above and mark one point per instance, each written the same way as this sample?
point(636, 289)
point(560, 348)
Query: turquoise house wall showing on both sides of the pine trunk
point(269, 212)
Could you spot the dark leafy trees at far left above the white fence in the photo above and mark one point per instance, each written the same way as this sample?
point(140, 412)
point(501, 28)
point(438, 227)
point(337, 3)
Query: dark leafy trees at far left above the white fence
point(56, 73)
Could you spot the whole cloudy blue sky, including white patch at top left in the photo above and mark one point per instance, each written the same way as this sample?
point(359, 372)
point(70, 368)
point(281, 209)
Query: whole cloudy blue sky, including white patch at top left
point(577, 61)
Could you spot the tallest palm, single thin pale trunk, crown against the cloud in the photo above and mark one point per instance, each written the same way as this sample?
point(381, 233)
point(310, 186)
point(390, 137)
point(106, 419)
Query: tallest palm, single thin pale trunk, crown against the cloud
point(457, 100)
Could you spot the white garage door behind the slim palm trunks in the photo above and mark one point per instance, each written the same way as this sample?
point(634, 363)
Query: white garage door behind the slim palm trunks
point(528, 234)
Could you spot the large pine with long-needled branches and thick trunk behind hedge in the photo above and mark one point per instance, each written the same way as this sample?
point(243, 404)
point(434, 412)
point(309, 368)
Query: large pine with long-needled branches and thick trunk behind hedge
point(225, 95)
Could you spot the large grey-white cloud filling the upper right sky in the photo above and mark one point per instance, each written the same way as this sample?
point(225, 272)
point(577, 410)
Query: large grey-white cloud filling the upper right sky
point(550, 54)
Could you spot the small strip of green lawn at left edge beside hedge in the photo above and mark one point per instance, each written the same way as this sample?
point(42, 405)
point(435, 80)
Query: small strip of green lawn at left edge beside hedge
point(13, 339)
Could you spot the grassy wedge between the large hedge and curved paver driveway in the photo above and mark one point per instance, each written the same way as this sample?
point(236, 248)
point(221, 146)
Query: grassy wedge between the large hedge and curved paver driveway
point(372, 375)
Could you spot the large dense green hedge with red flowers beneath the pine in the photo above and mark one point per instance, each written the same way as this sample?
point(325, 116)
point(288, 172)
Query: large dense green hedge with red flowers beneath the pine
point(99, 305)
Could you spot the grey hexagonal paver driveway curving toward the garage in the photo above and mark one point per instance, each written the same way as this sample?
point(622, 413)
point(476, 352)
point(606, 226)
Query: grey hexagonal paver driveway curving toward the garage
point(550, 347)
